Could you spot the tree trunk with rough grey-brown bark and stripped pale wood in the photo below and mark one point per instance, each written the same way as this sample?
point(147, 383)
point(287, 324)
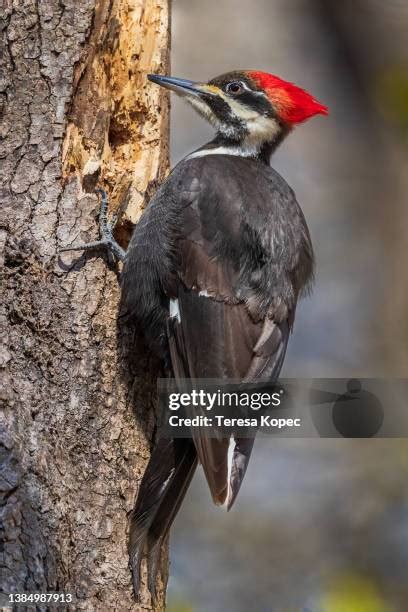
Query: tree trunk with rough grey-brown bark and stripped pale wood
point(77, 421)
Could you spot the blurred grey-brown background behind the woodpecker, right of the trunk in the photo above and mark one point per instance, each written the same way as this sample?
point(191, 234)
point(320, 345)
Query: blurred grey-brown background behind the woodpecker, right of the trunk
point(320, 525)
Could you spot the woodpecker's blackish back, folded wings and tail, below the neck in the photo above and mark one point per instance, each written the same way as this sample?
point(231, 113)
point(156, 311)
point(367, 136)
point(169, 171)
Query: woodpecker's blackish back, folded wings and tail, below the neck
point(206, 244)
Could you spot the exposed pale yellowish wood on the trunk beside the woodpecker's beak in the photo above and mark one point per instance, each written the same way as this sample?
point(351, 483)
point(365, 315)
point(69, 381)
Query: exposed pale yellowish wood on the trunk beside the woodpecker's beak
point(119, 139)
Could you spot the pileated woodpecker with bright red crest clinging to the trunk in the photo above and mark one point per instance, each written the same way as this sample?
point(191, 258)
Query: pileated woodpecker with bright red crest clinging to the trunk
point(213, 273)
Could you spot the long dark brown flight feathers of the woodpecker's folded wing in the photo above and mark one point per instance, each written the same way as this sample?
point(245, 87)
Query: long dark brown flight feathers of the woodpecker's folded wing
point(214, 339)
